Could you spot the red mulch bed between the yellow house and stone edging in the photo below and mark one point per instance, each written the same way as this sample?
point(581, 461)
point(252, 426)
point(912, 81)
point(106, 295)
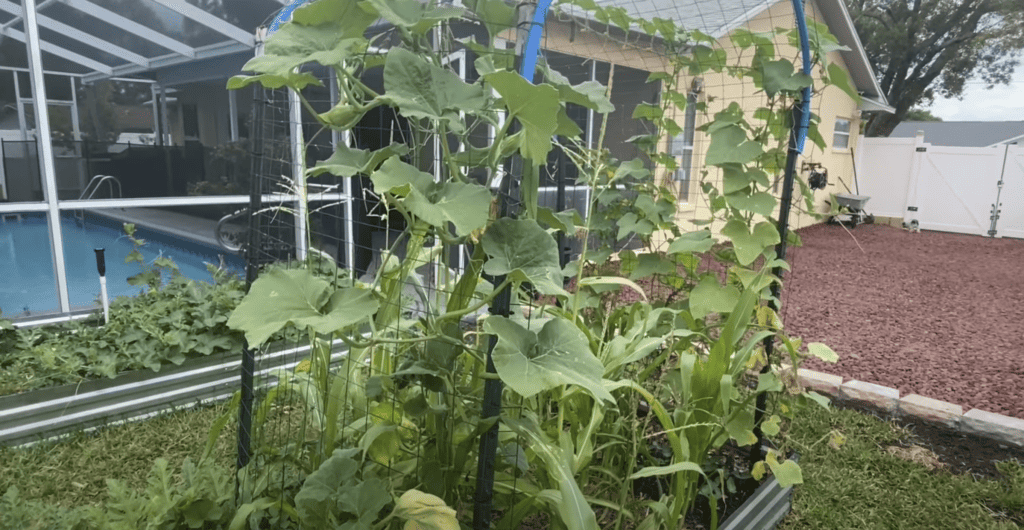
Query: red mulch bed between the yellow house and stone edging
point(931, 314)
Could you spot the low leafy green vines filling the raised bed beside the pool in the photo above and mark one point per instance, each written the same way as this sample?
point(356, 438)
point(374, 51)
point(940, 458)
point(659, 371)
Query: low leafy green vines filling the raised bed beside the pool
point(167, 324)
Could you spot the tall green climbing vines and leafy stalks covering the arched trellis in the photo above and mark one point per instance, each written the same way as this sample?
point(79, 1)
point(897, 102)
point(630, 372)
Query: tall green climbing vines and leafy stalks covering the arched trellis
point(581, 371)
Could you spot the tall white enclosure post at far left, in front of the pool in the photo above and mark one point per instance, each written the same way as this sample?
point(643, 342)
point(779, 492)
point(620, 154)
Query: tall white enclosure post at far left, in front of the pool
point(46, 150)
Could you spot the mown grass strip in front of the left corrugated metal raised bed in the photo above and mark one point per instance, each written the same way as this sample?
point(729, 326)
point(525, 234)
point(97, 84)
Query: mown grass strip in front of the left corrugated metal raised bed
point(72, 472)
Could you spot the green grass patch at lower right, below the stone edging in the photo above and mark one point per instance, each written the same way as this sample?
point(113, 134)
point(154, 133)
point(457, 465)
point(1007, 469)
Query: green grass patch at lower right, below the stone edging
point(860, 487)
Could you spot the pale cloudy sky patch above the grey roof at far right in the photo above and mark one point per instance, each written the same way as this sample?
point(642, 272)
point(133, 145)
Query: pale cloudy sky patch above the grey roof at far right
point(1005, 103)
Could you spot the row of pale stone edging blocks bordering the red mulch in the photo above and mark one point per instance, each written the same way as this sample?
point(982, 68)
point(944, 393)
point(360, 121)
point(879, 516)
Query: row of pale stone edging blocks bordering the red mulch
point(996, 427)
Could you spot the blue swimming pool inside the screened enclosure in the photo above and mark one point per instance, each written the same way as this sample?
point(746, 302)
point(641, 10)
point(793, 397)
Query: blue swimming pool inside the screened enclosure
point(27, 282)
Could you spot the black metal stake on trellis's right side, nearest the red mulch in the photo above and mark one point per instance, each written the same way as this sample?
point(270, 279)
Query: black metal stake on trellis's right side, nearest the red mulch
point(777, 287)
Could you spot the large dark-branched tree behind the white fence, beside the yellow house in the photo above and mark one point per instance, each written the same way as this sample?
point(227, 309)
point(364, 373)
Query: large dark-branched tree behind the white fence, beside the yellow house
point(924, 49)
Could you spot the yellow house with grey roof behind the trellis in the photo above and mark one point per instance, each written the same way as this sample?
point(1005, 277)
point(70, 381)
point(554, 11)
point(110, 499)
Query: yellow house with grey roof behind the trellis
point(576, 45)
